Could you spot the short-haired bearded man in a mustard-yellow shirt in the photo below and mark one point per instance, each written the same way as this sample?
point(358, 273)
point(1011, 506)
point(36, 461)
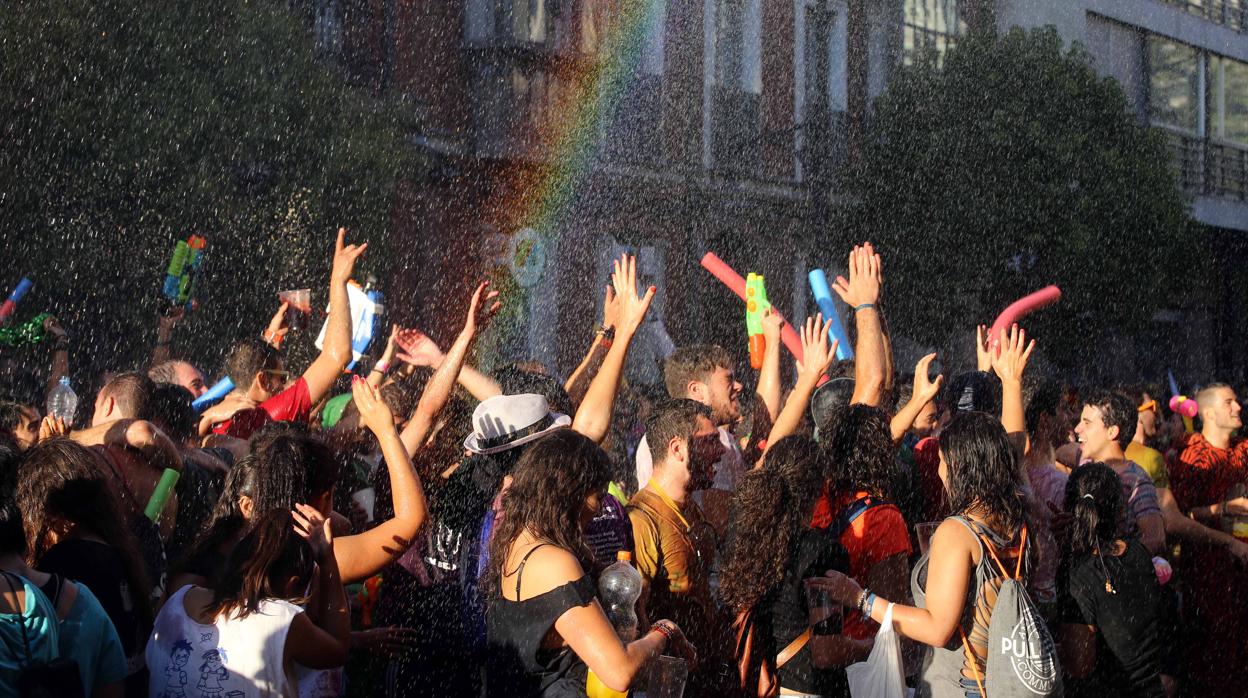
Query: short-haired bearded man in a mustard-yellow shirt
point(676, 545)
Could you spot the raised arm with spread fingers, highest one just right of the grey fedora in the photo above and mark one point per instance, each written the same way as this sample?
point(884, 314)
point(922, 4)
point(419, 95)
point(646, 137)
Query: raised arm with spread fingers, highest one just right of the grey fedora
point(595, 414)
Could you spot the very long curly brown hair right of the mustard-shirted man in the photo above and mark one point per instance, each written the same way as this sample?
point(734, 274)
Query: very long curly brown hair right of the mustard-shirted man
point(771, 510)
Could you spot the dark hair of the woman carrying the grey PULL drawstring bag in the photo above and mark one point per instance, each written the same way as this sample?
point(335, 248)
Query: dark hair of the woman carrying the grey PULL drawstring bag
point(984, 476)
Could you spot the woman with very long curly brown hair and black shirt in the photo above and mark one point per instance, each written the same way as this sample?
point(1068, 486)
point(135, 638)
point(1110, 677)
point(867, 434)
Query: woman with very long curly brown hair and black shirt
point(774, 550)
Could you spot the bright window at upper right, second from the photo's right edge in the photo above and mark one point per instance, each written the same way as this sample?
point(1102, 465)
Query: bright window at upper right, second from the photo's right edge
point(1175, 86)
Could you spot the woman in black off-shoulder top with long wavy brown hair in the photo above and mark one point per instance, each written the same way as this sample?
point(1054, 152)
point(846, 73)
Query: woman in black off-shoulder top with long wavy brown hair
point(545, 625)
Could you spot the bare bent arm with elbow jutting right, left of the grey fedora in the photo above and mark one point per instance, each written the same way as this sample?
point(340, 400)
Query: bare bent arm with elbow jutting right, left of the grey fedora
point(370, 553)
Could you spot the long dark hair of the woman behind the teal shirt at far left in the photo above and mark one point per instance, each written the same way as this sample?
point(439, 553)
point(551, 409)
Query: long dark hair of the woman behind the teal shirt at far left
point(59, 480)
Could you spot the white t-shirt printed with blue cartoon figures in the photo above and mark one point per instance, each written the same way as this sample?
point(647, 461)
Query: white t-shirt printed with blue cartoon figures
point(236, 659)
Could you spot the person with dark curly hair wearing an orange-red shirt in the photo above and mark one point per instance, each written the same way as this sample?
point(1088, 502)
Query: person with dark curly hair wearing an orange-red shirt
point(862, 456)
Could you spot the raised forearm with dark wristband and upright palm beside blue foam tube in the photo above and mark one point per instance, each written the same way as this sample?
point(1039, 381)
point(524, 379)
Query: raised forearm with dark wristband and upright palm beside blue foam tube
point(862, 293)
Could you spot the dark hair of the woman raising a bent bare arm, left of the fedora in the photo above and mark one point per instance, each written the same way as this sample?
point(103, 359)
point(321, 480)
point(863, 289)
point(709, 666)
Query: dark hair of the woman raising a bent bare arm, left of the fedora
point(291, 468)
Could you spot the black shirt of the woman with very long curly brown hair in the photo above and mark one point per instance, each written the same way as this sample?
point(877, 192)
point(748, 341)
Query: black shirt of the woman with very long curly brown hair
point(783, 615)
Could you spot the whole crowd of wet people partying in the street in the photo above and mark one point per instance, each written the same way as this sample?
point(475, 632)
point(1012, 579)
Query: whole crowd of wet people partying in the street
point(420, 528)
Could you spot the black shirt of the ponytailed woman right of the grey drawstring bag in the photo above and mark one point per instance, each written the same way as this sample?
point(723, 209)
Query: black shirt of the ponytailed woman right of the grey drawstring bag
point(1128, 646)
